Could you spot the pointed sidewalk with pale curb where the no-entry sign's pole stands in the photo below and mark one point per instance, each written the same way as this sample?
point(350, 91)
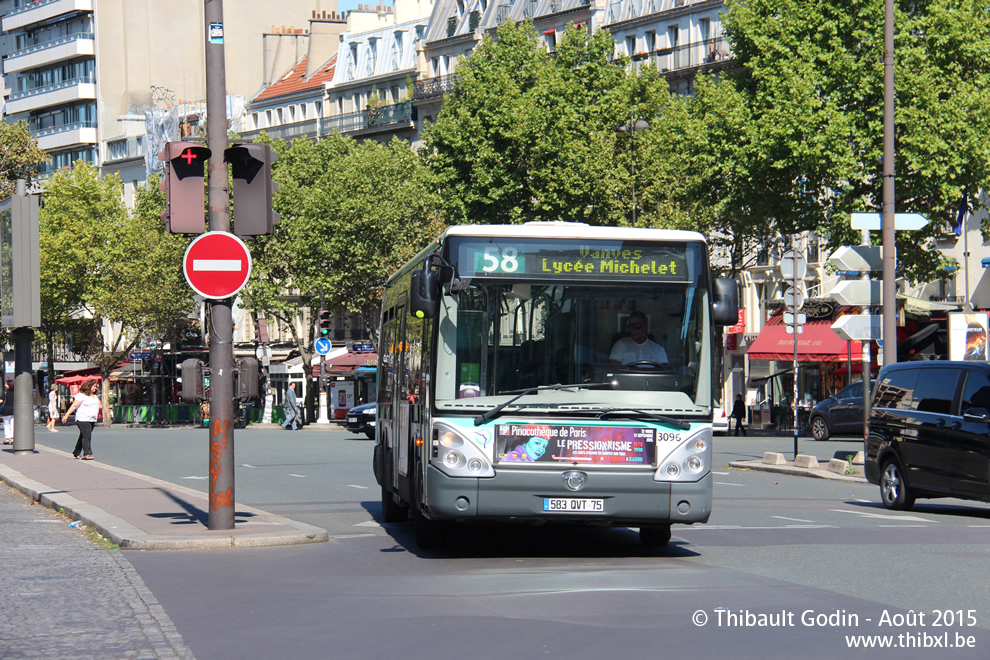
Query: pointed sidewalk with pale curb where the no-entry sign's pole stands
point(140, 513)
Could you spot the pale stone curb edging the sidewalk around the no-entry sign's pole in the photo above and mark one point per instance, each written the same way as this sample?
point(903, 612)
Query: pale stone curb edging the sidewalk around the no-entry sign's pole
point(126, 535)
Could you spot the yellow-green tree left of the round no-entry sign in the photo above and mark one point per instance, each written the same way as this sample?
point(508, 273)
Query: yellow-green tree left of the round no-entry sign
point(98, 260)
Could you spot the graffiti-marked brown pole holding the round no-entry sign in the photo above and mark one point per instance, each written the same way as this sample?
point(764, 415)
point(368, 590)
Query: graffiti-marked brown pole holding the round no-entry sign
point(219, 315)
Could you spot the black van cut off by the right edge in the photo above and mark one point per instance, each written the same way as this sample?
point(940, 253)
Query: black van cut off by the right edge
point(929, 432)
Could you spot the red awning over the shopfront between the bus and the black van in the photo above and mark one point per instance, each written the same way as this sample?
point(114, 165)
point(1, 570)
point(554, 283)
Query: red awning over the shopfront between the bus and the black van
point(818, 343)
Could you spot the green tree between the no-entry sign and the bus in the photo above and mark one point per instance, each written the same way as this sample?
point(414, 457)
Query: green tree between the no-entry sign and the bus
point(351, 214)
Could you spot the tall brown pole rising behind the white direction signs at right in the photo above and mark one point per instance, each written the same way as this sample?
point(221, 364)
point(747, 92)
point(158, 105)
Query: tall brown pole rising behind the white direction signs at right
point(889, 247)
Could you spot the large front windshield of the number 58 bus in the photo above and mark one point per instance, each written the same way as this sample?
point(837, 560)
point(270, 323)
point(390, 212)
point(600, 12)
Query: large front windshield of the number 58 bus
point(623, 339)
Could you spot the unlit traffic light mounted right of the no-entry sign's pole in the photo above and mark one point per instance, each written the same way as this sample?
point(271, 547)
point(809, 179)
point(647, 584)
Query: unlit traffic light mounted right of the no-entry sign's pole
point(251, 169)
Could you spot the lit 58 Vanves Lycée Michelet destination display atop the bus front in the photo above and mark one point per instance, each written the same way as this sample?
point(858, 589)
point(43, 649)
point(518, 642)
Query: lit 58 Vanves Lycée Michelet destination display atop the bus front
point(576, 260)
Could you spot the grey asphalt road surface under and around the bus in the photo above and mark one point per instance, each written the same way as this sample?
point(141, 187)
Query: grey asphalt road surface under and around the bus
point(787, 567)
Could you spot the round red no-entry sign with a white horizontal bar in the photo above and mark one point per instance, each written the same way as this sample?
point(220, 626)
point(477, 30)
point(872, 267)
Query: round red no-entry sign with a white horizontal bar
point(217, 265)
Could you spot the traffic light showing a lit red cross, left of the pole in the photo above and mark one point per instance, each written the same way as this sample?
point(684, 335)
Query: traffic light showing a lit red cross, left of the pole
point(185, 166)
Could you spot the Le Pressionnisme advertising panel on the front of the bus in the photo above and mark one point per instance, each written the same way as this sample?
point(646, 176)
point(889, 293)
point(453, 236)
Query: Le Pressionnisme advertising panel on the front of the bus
point(565, 443)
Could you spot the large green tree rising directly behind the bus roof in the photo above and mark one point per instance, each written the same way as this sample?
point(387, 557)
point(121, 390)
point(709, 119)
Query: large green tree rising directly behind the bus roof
point(526, 136)
